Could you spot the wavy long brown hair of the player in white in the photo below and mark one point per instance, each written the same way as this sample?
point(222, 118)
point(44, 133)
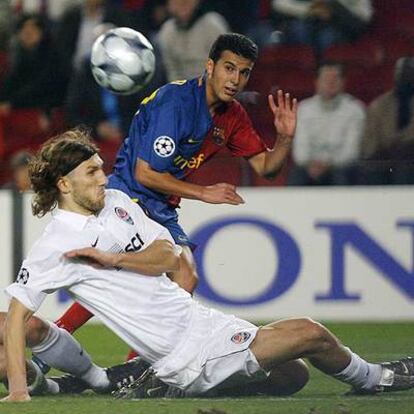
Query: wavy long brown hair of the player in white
point(55, 159)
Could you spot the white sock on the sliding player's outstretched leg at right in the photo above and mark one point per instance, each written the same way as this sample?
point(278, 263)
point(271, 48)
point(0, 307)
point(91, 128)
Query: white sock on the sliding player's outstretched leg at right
point(360, 373)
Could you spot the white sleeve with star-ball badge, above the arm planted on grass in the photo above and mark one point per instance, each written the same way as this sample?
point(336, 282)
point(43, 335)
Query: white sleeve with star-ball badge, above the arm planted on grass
point(41, 273)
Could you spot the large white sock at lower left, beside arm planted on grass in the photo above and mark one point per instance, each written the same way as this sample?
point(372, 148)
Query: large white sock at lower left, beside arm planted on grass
point(60, 350)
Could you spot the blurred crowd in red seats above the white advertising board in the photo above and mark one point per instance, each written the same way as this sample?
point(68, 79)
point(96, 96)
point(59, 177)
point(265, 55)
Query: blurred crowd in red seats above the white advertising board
point(349, 62)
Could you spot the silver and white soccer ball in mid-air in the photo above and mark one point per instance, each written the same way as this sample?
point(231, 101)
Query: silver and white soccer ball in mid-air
point(122, 60)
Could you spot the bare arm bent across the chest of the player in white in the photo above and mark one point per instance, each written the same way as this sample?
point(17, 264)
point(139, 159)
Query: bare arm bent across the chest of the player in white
point(161, 256)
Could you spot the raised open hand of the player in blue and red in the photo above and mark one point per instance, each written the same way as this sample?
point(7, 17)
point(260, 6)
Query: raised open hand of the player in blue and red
point(284, 113)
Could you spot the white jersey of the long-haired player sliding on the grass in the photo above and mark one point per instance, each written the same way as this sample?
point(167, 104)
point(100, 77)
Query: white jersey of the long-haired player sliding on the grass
point(150, 313)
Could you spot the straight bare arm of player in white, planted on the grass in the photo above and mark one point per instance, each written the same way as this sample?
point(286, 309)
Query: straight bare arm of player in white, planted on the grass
point(14, 342)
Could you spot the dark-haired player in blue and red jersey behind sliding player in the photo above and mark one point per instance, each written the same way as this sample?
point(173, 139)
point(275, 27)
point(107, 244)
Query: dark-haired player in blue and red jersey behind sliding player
point(178, 128)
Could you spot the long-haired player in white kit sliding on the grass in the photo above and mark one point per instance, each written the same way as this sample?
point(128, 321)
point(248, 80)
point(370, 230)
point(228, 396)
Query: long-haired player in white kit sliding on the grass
point(112, 259)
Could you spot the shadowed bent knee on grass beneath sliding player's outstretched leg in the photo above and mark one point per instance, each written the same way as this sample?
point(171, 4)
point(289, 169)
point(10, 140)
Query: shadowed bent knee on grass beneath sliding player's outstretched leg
point(287, 378)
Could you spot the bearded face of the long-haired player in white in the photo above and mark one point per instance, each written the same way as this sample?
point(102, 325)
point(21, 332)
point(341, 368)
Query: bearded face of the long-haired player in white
point(87, 185)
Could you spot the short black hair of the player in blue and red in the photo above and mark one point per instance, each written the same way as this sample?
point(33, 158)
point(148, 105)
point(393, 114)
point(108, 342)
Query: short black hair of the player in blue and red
point(234, 42)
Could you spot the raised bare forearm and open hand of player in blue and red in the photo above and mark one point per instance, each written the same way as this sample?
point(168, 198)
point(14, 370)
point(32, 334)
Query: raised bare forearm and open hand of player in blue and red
point(269, 163)
